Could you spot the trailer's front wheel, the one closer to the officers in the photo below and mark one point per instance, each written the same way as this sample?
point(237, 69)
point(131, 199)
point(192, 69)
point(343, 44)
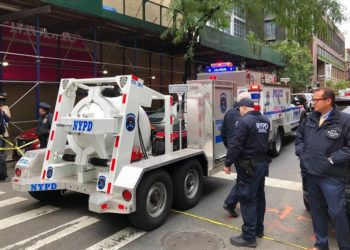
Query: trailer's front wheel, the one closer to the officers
point(188, 184)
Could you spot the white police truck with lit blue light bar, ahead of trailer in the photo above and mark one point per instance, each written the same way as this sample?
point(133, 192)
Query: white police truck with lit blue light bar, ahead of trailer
point(272, 99)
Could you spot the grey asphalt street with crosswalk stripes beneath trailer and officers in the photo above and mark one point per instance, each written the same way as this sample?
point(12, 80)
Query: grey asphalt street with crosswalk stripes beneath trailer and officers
point(28, 224)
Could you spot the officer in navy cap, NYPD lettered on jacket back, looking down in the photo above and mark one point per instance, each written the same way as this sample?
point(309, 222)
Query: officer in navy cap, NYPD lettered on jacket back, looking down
point(247, 148)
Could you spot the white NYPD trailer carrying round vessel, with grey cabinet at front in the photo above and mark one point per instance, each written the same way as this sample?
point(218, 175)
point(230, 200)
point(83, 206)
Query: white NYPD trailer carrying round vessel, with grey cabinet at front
point(109, 152)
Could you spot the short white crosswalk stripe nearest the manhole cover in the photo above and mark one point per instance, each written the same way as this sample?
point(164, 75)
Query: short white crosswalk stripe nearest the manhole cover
point(118, 239)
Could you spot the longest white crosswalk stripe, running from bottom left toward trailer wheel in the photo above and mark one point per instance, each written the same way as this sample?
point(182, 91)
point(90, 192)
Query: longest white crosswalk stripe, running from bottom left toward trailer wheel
point(63, 230)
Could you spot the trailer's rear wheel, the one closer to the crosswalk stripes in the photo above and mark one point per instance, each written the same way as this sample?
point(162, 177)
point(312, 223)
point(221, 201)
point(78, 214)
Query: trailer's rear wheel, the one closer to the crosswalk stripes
point(154, 197)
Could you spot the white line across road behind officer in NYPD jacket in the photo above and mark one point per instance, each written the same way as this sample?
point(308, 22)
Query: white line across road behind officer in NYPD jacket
point(270, 182)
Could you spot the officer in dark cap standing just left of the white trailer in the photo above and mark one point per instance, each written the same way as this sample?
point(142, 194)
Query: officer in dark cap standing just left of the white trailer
point(44, 124)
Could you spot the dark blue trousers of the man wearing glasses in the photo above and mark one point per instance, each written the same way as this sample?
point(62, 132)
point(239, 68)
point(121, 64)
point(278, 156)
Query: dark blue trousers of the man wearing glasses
point(327, 196)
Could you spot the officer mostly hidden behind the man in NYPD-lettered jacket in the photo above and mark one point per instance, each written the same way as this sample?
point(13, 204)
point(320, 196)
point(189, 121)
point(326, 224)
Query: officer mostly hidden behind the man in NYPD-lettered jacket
point(228, 124)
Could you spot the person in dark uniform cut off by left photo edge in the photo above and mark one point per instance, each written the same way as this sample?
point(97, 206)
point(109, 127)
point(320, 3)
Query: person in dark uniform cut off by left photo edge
point(5, 117)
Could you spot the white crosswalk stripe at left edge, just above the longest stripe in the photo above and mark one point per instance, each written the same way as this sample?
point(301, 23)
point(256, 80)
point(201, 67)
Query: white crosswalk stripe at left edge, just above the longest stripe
point(19, 218)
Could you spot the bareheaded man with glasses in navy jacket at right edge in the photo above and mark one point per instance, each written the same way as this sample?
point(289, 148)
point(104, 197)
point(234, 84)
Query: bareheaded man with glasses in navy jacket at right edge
point(323, 147)
